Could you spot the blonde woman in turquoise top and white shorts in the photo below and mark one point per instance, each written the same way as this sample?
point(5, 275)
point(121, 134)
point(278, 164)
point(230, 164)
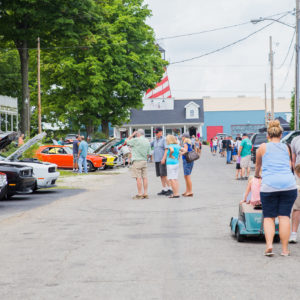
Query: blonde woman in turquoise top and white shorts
point(173, 164)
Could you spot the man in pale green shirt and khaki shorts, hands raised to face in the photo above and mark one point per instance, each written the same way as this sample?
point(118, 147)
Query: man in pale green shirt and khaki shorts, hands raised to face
point(140, 150)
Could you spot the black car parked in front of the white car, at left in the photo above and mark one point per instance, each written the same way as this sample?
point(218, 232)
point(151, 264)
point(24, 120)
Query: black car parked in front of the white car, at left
point(20, 178)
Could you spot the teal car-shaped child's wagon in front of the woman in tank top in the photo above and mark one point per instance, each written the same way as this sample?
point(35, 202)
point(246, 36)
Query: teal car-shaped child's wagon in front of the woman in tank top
point(250, 223)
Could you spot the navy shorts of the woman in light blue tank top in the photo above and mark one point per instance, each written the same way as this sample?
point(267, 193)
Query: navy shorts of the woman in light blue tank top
point(276, 204)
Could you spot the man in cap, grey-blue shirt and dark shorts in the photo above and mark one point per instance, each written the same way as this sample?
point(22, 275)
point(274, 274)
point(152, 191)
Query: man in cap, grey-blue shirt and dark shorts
point(160, 149)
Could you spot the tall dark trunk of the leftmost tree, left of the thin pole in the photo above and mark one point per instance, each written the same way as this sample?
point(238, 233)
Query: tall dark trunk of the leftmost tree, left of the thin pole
point(24, 59)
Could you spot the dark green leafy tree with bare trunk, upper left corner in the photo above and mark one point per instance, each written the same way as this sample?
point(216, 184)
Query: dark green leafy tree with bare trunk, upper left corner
point(56, 22)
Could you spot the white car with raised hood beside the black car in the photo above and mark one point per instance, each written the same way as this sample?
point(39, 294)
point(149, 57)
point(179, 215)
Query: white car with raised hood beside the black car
point(45, 173)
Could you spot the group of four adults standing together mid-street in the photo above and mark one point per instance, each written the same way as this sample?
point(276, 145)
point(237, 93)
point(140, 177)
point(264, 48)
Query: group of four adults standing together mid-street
point(167, 152)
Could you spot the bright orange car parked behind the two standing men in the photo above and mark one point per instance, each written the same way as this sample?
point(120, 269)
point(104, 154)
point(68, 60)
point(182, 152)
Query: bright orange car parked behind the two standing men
point(63, 157)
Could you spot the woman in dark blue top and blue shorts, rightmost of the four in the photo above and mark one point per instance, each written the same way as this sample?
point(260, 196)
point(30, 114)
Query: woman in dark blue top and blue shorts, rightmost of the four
point(187, 166)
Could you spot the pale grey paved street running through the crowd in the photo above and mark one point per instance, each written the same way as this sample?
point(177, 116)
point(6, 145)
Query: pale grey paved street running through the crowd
point(100, 244)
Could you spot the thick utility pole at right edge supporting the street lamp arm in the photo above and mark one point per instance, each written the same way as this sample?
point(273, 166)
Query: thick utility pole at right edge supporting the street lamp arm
point(297, 92)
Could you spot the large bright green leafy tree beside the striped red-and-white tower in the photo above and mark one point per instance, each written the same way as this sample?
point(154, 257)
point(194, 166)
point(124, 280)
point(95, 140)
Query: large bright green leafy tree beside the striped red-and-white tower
point(98, 84)
